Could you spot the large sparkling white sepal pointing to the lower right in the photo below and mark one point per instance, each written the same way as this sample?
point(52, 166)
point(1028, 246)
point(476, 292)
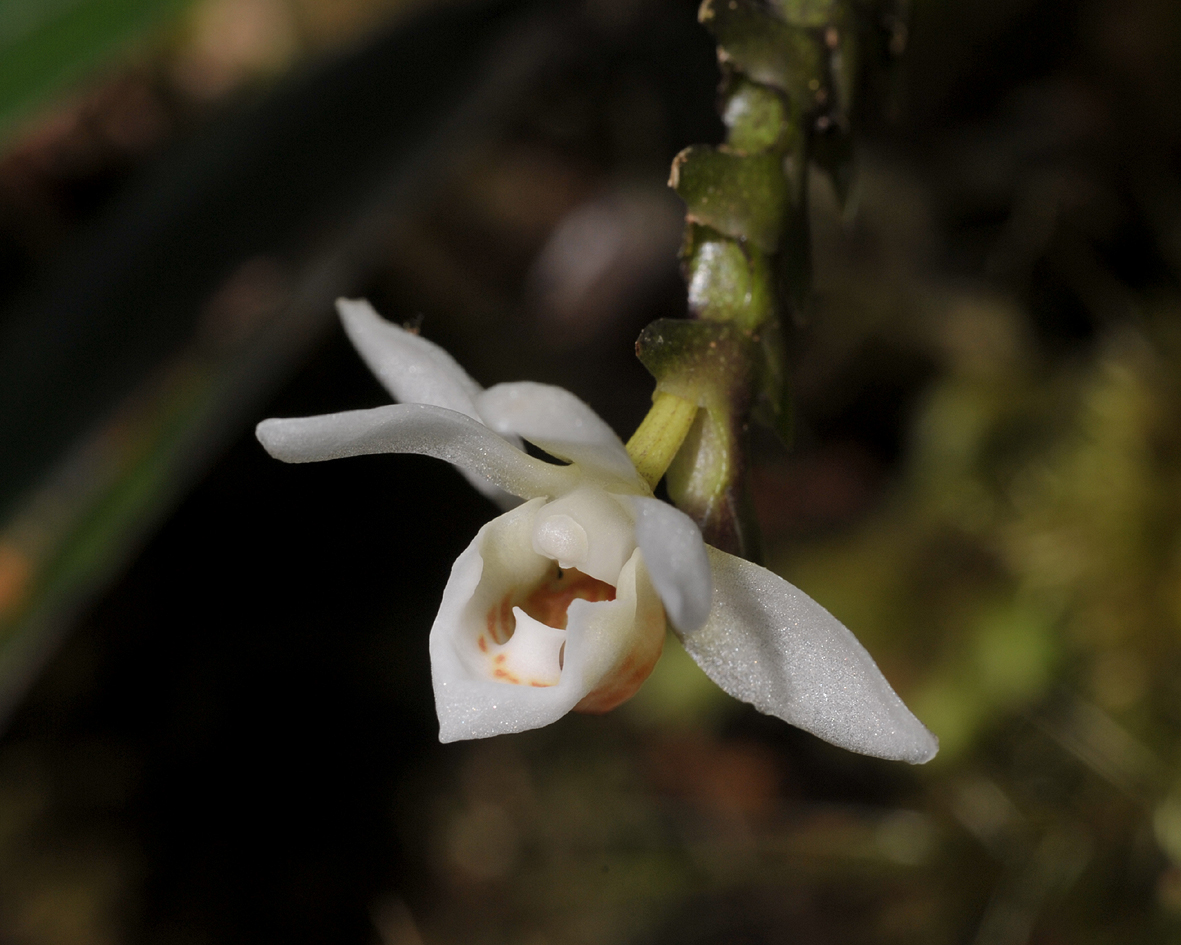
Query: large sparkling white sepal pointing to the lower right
point(772, 646)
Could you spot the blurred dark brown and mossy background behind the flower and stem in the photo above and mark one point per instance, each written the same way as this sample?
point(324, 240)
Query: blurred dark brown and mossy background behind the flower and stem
point(237, 745)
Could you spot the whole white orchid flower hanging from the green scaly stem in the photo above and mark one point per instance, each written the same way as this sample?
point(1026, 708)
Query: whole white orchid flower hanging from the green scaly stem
point(562, 602)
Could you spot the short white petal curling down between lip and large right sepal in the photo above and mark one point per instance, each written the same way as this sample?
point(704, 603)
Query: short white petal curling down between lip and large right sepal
point(676, 559)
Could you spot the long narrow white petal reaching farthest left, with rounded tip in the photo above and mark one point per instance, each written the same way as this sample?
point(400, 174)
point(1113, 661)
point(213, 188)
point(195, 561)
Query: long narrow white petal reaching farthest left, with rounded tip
point(416, 428)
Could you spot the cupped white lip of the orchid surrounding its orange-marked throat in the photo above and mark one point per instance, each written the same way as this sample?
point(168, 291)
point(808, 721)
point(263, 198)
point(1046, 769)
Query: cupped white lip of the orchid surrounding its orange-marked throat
point(599, 636)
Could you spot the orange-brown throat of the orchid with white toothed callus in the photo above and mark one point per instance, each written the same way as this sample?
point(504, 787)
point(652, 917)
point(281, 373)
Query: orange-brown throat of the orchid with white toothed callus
point(525, 635)
